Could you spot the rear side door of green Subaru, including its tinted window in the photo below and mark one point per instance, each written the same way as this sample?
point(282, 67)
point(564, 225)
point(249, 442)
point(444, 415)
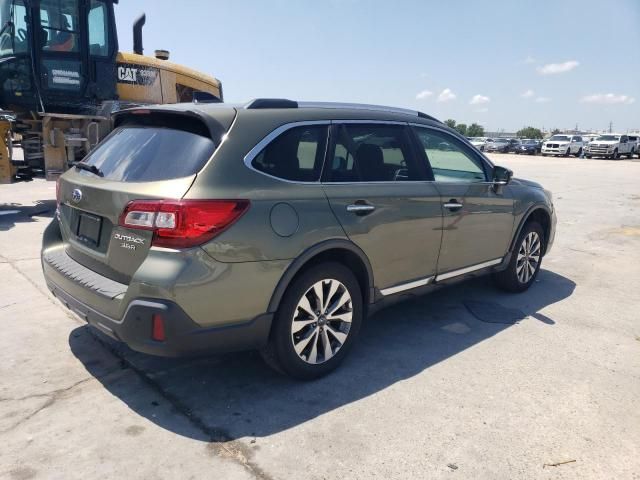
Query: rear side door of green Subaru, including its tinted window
point(381, 196)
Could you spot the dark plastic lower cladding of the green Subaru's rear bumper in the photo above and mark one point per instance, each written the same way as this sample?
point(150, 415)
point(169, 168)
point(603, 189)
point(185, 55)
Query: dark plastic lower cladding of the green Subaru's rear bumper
point(183, 335)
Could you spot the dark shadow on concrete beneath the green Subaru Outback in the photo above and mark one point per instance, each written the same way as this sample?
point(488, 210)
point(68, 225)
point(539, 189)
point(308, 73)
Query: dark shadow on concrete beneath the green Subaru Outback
point(236, 395)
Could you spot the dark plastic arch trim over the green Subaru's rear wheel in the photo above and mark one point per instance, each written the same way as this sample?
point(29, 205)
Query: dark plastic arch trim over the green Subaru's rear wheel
point(343, 251)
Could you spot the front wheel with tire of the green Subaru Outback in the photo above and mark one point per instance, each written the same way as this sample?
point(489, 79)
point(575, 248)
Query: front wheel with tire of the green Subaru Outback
point(525, 261)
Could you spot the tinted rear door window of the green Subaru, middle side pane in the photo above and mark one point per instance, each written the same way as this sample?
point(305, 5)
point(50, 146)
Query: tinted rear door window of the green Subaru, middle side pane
point(372, 153)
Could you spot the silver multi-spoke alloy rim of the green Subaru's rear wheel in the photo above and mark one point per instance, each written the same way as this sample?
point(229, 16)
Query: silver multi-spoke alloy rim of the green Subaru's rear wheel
point(321, 321)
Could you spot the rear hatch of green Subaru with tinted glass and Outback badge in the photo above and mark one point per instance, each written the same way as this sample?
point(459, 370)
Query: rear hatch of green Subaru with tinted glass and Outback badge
point(151, 155)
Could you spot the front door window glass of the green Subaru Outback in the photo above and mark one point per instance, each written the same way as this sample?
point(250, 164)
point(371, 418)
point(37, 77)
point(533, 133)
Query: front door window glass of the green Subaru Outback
point(449, 160)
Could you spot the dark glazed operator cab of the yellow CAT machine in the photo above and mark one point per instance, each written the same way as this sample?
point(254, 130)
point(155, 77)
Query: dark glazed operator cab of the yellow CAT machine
point(57, 55)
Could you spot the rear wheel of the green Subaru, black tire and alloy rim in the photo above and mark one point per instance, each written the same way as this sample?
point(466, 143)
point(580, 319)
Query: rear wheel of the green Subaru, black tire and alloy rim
point(317, 322)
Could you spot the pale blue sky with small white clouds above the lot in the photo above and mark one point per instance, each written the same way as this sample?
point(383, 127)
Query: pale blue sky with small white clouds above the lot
point(503, 63)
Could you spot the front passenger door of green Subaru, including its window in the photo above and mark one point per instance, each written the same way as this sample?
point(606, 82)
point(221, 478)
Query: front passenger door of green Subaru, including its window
point(477, 218)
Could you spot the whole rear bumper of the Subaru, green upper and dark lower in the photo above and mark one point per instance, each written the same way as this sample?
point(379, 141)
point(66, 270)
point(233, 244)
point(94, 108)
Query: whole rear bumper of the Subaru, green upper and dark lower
point(191, 292)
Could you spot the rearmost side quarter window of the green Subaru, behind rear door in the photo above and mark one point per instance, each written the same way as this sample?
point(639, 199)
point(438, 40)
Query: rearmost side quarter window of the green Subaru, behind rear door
point(297, 154)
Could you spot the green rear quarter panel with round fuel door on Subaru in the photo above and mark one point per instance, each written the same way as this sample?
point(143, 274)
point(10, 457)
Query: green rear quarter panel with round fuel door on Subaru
point(253, 237)
